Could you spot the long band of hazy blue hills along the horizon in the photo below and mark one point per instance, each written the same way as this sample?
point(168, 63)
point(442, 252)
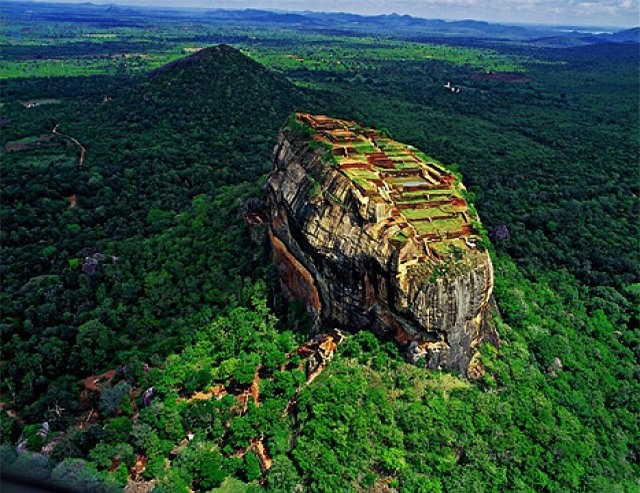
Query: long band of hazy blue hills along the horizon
point(391, 24)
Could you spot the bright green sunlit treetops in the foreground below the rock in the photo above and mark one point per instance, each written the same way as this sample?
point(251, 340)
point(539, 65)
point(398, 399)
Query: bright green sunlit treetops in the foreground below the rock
point(540, 420)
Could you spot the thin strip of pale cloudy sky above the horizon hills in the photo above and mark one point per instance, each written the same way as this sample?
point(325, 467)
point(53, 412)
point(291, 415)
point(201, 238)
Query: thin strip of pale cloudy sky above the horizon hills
point(620, 13)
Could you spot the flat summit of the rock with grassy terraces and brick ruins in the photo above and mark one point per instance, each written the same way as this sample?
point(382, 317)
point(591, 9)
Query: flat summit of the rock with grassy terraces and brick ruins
point(416, 196)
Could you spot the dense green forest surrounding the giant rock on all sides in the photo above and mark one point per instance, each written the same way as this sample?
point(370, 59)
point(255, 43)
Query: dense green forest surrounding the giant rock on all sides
point(132, 285)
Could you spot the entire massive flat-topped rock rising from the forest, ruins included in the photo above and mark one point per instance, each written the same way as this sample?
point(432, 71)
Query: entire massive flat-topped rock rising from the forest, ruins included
point(375, 235)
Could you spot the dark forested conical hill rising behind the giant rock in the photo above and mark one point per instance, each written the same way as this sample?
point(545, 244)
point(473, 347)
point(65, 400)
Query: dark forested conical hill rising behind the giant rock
point(237, 101)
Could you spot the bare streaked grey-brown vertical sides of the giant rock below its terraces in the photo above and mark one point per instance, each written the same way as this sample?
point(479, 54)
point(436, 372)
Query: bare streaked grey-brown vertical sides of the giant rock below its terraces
point(333, 251)
